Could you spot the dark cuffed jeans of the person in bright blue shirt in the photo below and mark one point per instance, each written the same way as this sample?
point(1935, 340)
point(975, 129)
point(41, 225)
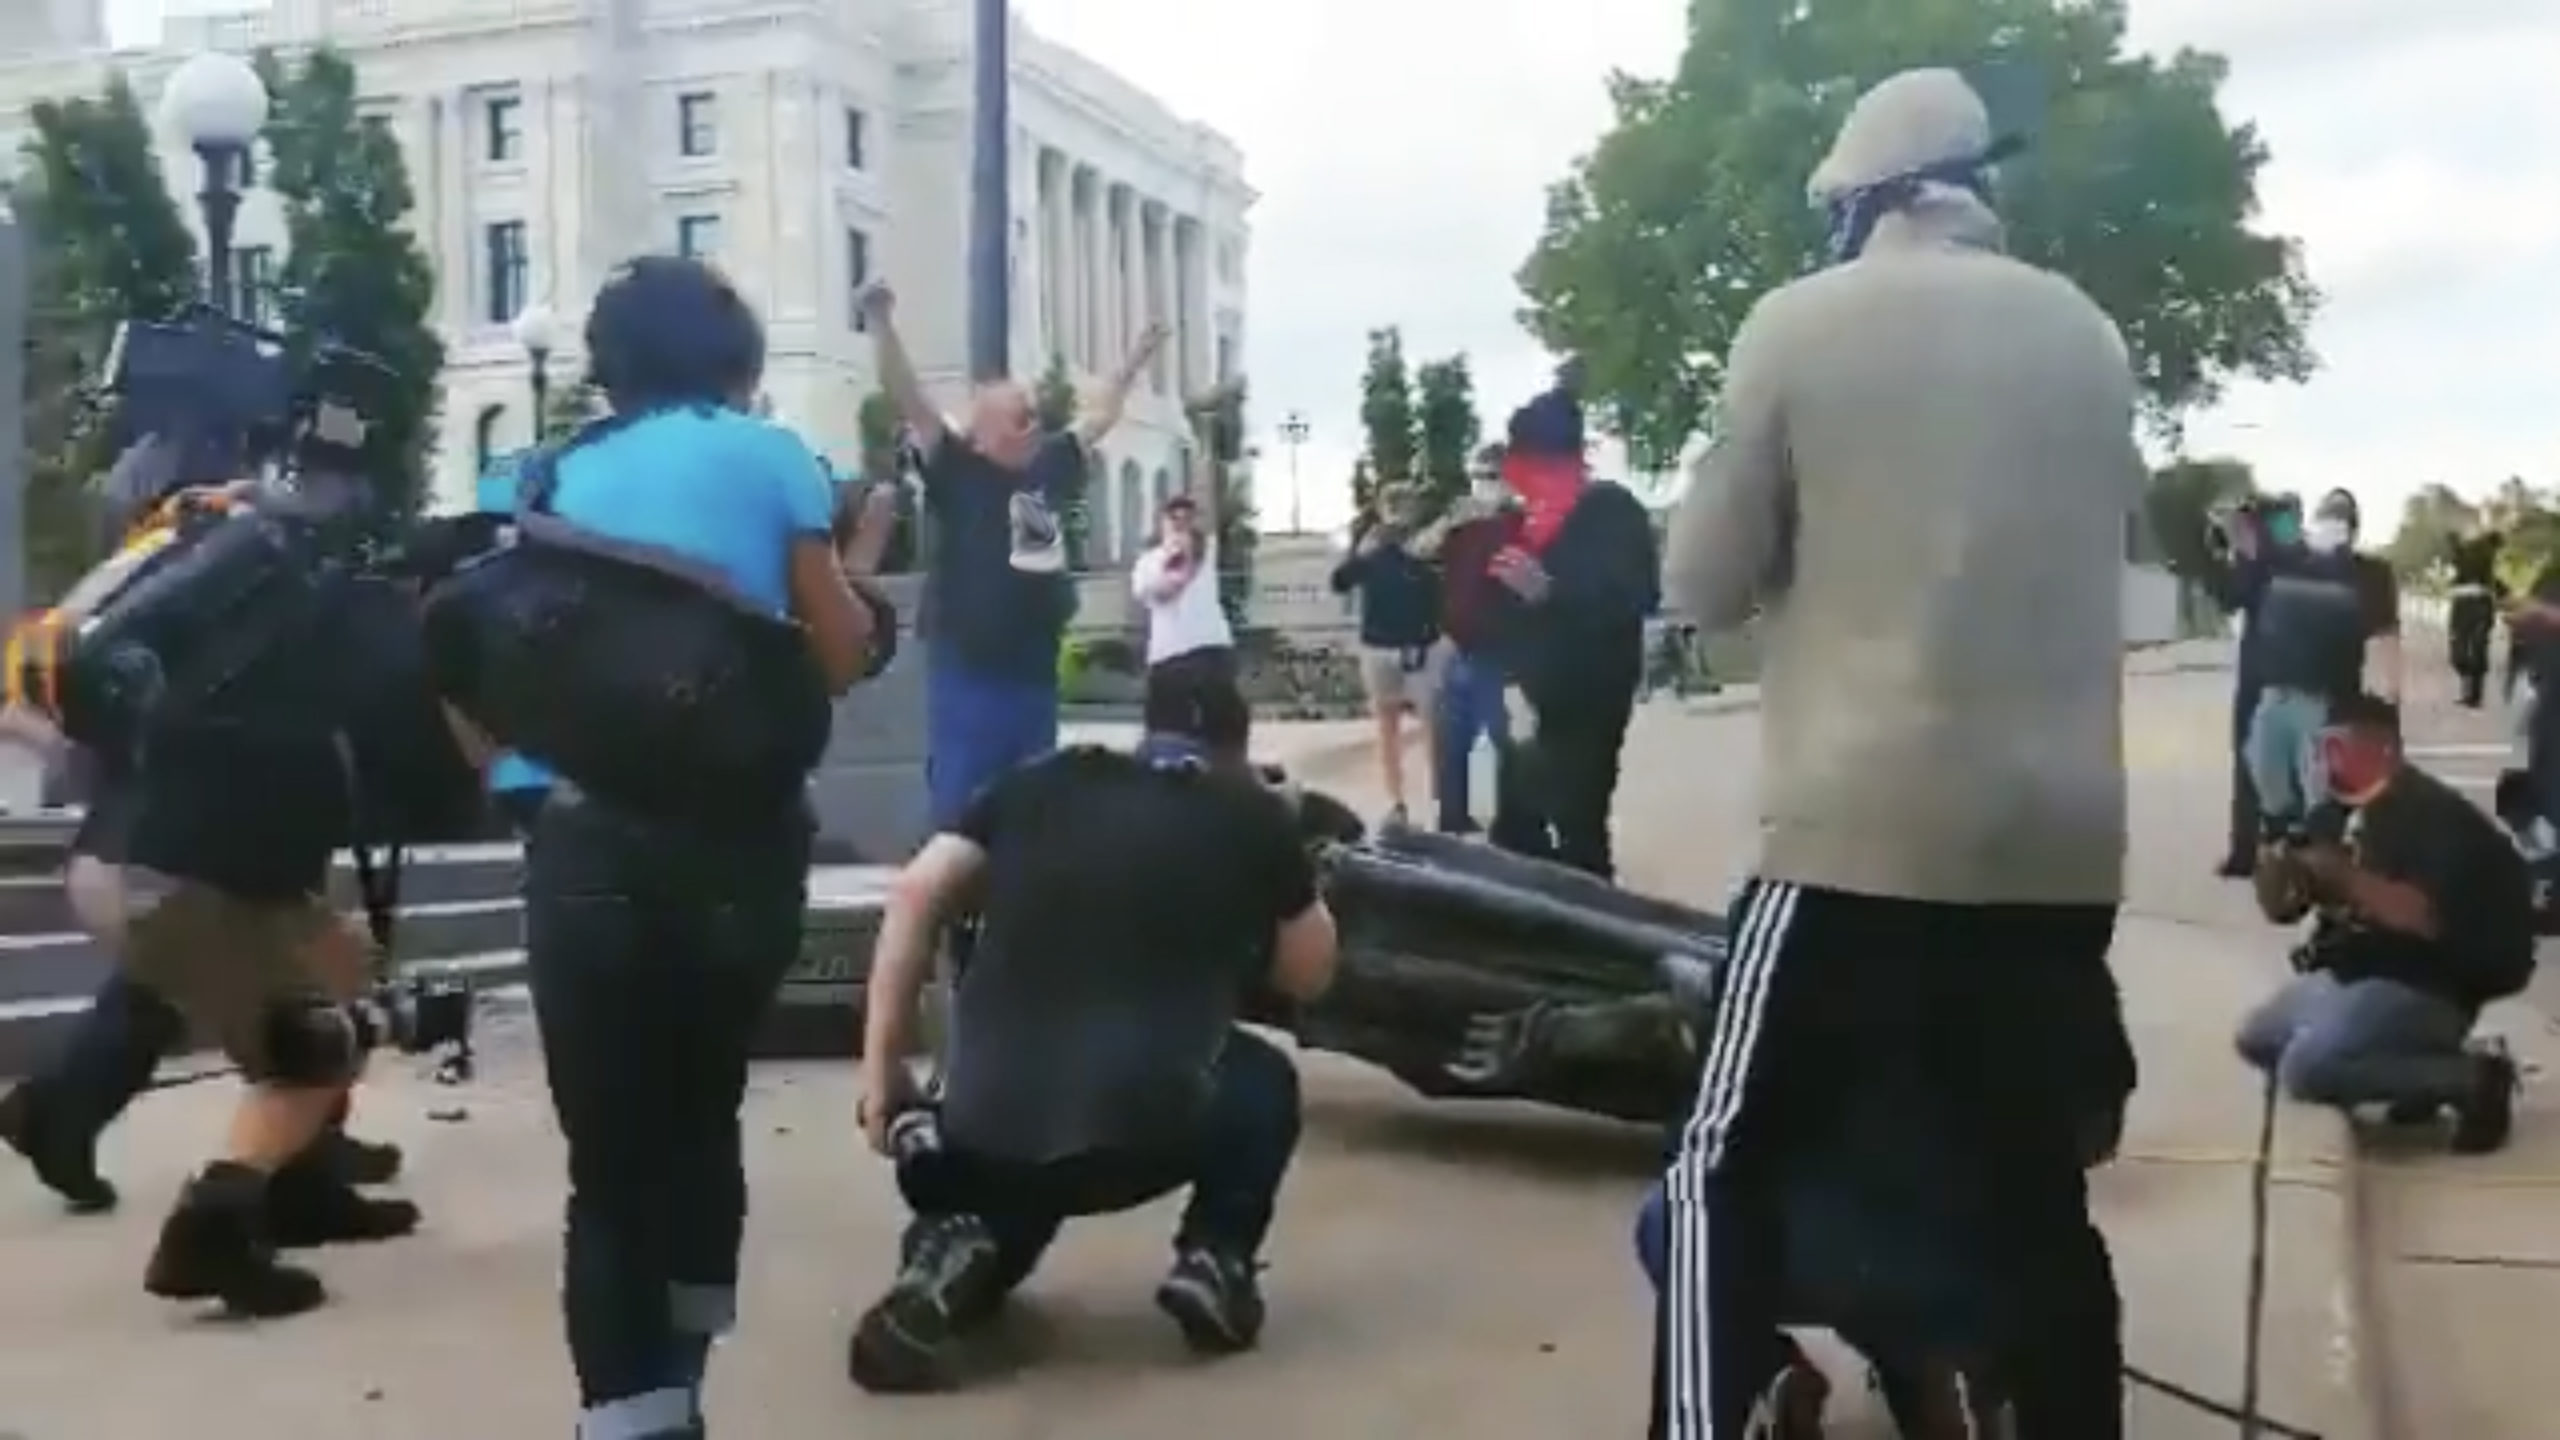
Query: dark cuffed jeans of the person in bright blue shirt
point(654, 957)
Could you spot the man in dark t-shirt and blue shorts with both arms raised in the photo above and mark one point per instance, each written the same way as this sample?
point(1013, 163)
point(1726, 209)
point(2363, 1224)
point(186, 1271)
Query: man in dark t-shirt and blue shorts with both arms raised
point(997, 596)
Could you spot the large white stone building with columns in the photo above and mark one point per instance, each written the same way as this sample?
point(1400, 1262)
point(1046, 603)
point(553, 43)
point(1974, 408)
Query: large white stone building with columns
point(805, 145)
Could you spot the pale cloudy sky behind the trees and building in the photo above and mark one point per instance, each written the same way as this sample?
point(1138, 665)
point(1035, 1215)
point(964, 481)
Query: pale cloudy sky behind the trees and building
point(1404, 150)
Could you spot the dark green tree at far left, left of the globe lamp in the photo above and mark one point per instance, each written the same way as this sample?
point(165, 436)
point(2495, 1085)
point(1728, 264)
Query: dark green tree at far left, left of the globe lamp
point(106, 242)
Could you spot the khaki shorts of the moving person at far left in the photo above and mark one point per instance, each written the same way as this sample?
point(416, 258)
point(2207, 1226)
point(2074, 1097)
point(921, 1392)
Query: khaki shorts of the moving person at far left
point(232, 965)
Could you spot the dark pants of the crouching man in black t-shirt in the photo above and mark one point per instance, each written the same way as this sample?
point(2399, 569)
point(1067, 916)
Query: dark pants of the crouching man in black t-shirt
point(1233, 1170)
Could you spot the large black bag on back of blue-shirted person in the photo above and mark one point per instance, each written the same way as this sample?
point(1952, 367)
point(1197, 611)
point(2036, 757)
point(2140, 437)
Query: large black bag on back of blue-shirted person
point(634, 673)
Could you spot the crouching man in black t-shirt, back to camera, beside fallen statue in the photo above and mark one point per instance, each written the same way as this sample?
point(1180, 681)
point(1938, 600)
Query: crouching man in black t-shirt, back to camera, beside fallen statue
point(1094, 1057)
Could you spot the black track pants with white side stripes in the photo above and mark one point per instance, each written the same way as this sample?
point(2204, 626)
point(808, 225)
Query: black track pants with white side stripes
point(1891, 1136)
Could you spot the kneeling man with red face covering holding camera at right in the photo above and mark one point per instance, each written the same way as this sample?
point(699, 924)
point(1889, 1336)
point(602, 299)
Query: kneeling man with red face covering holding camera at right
point(2423, 919)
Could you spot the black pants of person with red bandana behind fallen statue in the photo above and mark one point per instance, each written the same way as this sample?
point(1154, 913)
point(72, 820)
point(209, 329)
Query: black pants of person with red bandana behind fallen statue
point(1555, 790)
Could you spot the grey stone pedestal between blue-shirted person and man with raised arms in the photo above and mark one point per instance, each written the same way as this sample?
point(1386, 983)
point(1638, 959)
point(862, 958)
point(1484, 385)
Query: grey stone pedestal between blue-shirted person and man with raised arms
point(869, 793)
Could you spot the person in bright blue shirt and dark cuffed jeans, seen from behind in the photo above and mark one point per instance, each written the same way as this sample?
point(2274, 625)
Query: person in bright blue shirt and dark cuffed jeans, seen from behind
point(657, 939)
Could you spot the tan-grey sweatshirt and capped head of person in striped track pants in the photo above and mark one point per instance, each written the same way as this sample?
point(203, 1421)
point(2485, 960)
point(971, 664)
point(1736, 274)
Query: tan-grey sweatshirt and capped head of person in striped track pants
point(1921, 480)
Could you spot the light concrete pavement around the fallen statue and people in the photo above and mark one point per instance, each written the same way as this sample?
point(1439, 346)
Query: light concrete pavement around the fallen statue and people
point(1437, 1267)
